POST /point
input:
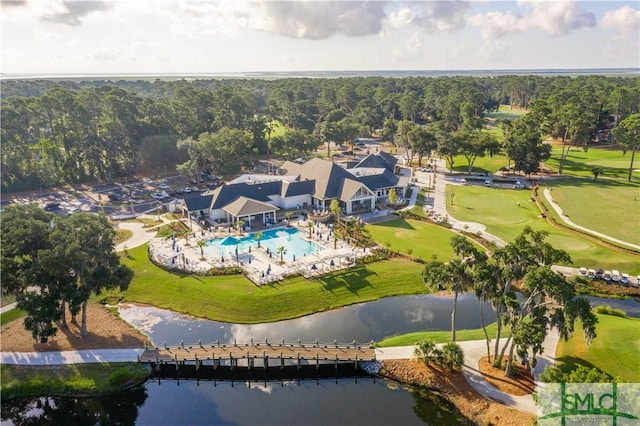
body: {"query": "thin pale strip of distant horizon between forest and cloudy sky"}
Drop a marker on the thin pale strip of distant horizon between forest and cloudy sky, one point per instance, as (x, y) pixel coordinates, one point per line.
(329, 73)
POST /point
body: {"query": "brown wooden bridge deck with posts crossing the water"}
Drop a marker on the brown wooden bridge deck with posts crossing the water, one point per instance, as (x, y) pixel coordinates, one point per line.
(231, 353)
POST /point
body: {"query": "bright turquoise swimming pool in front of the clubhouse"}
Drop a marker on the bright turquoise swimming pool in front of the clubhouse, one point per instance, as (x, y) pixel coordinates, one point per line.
(290, 238)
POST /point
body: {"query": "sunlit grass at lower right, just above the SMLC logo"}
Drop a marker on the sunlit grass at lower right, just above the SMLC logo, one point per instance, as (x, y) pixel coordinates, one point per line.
(614, 351)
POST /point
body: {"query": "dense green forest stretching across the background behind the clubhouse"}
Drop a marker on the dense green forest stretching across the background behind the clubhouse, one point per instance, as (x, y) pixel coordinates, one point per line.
(57, 132)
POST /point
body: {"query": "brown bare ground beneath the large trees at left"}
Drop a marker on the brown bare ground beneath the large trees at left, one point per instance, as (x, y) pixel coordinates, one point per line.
(105, 331)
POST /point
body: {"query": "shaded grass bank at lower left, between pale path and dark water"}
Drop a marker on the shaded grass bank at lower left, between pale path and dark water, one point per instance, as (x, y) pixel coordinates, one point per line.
(69, 380)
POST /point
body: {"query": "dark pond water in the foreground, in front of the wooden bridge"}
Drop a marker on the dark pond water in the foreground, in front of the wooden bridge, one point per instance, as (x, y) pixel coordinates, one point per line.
(169, 403)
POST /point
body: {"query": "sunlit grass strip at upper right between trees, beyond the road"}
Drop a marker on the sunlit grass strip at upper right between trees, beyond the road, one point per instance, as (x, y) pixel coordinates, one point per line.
(614, 164)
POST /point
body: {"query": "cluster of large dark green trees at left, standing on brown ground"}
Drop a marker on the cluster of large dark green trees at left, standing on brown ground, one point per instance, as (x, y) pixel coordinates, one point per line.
(55, 263)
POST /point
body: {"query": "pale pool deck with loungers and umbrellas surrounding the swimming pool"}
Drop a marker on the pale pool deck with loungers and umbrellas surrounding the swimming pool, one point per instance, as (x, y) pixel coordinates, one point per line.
(260, 267)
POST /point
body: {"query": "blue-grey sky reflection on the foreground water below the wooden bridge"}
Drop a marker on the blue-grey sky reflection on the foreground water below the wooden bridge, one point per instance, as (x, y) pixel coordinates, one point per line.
(347, 402)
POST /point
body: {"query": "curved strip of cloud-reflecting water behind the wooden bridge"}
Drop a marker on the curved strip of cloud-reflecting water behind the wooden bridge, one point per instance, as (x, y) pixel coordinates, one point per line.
(362, 322)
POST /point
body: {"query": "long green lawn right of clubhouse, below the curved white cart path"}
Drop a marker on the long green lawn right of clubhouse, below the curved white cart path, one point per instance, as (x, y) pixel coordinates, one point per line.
(498, 210)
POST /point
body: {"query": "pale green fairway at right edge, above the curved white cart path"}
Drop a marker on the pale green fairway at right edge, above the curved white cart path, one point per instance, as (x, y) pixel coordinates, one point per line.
(606, 206)
